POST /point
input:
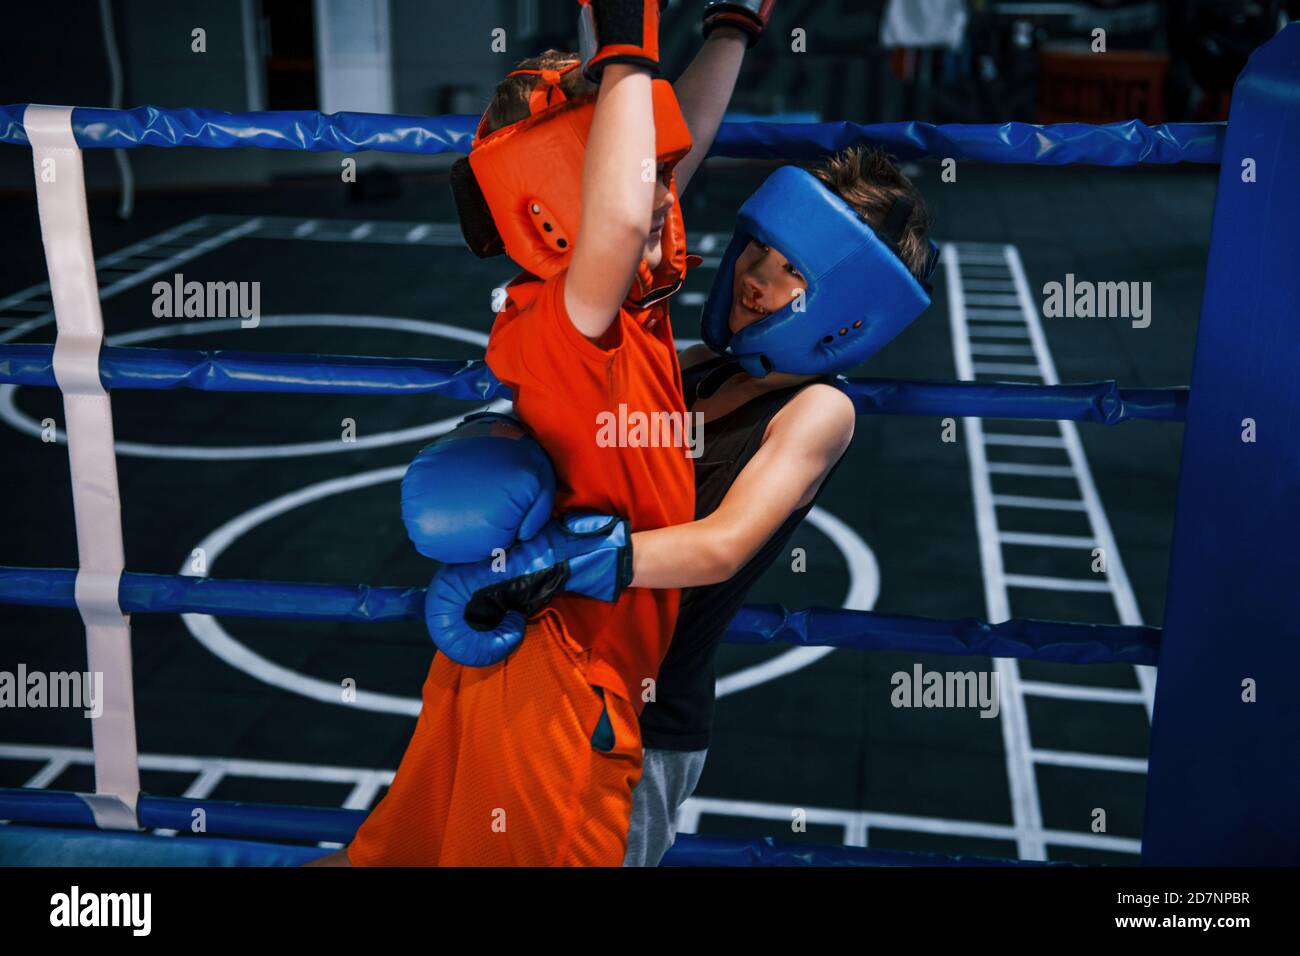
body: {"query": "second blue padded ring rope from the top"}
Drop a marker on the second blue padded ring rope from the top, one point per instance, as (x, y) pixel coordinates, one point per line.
(218, 371)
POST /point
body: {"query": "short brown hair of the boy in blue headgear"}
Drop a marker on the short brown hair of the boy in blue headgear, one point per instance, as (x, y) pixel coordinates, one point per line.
(870, 181)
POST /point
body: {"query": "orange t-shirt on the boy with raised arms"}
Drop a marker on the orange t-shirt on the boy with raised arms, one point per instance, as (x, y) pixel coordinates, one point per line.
(562, 383)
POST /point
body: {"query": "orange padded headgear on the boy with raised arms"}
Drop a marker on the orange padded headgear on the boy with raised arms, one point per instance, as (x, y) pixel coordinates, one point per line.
(521, 191)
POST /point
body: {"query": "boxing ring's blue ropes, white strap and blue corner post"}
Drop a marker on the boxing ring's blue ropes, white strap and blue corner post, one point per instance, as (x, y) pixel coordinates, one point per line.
(1224, 784)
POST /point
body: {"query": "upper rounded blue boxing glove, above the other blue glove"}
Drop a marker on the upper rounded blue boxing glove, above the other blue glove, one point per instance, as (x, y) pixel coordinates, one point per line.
(480, 487)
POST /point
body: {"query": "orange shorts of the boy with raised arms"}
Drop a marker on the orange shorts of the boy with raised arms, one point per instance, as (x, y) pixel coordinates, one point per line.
(522, 764)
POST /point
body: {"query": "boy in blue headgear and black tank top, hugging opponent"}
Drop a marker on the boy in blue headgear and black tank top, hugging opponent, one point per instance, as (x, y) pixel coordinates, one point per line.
(825, 270)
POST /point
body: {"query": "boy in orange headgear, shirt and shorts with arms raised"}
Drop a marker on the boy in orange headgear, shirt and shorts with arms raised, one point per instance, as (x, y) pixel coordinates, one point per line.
(534, 760)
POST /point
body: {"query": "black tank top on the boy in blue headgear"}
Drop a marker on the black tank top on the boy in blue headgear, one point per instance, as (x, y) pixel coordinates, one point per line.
(682, 716)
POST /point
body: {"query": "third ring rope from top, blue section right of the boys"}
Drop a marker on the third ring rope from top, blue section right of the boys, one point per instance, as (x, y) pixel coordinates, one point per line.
(1026, 639)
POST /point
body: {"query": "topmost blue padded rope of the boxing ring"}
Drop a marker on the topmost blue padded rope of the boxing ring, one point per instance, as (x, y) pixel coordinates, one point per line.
(1113, 145)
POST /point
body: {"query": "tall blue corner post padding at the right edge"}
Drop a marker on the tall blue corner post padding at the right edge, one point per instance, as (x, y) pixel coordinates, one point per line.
(1224, 781)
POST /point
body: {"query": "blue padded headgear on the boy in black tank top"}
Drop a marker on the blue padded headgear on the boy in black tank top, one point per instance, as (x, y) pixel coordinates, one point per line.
(860, 295)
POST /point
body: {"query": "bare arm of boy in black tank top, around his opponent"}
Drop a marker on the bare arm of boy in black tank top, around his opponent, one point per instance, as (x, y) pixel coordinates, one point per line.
(805, 442)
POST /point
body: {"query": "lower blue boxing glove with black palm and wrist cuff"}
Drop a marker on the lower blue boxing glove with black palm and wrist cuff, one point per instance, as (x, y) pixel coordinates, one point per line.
(478, 615)
